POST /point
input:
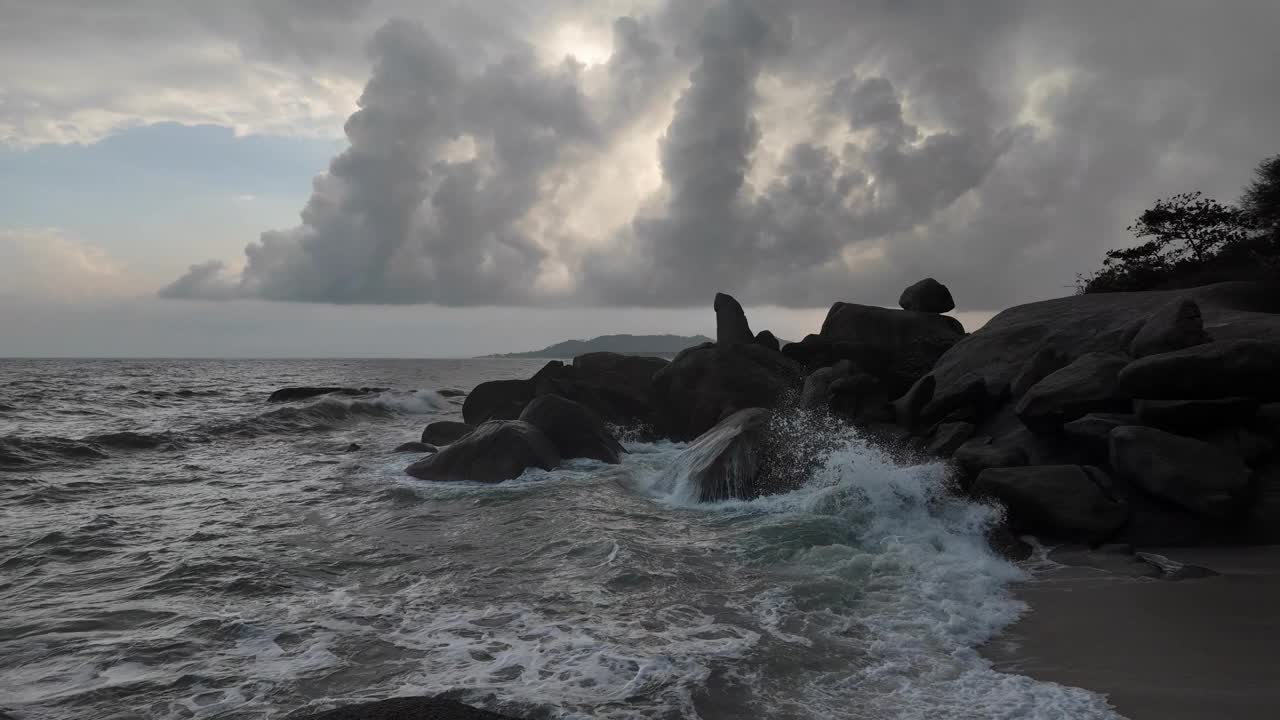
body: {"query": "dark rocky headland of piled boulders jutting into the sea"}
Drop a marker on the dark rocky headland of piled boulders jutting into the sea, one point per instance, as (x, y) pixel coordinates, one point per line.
(1150, 420)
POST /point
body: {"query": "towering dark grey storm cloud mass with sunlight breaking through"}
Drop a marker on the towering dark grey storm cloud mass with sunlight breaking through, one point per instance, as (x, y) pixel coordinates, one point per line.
(793, 154)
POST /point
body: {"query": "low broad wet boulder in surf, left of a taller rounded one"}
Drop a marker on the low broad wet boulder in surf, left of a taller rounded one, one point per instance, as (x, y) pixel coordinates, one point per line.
(497, 452)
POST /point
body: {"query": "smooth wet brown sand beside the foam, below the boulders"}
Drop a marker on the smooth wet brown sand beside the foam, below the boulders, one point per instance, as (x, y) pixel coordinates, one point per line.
(1159, 649)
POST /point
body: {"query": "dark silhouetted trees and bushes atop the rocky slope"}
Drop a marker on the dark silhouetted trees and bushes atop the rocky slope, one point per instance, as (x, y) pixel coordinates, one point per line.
(1196, 240)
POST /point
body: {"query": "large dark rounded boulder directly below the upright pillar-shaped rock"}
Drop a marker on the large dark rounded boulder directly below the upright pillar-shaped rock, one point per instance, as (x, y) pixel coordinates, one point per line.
(707, 384)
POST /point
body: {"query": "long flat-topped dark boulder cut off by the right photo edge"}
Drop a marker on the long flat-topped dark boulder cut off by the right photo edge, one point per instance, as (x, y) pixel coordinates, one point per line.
(1228, 368)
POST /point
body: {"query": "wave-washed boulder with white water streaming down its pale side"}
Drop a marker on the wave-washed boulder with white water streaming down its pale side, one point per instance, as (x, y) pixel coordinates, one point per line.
(729, 462)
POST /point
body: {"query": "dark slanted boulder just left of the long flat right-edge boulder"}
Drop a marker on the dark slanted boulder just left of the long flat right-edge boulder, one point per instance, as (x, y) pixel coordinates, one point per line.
(1086, 386)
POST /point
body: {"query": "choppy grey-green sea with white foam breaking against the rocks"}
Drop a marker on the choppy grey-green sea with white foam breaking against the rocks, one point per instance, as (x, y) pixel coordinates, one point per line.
(175, 546)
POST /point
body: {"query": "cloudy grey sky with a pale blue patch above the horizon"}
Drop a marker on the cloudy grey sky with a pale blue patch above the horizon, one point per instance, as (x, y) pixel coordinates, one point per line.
(399, 179)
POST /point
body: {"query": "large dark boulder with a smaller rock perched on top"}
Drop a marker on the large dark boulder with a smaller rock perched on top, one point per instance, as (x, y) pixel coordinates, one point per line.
(898, 347)
